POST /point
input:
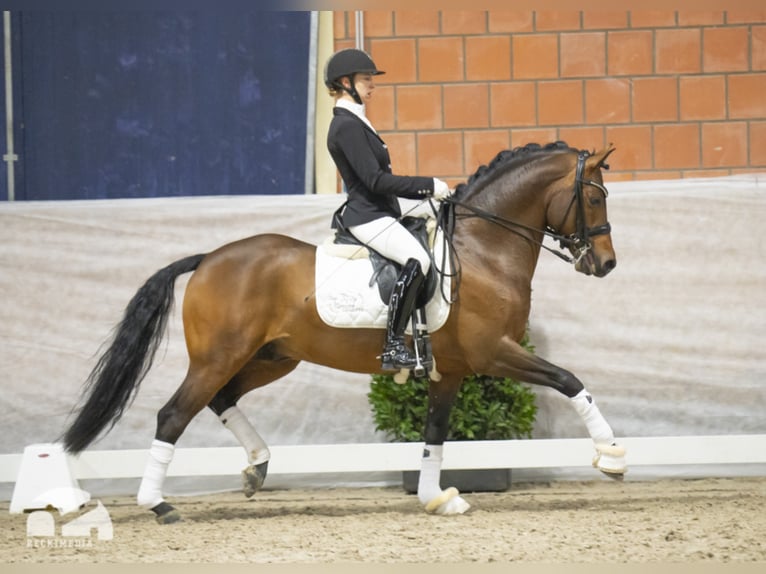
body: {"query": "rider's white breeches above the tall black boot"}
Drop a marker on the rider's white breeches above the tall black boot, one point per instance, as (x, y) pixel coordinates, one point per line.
(389, 238)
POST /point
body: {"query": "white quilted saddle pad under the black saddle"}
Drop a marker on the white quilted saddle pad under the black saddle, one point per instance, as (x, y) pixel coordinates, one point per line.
(345, 299)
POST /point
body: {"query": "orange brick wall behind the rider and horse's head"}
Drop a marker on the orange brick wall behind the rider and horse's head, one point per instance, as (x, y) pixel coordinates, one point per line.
(680, 94)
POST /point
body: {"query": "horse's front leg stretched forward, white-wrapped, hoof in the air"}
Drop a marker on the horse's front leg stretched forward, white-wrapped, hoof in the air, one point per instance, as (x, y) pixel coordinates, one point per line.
(517, 362)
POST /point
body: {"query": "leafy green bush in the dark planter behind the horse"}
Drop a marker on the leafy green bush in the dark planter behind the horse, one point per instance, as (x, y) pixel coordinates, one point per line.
(486, 408)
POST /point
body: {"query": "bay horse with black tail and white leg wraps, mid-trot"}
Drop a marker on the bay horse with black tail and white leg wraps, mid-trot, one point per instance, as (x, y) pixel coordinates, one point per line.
(249, 319)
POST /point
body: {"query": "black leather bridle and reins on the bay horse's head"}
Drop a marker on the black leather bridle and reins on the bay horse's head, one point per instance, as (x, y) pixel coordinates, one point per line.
(578, 242)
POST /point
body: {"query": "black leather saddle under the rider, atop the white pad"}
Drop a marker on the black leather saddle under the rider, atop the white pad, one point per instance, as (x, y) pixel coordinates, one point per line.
(385, 271)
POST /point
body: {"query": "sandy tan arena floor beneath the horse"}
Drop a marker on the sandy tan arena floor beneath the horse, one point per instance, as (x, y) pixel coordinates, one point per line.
(709, 520)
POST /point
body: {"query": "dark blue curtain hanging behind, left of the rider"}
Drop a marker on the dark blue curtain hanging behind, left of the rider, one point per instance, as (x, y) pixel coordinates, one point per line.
(147, 104)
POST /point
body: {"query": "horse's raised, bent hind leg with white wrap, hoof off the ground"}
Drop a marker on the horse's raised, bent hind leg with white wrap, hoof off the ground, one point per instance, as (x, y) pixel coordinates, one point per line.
(256, 374)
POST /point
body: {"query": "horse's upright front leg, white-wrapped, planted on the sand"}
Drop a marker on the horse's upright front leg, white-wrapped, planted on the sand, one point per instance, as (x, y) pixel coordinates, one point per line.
(441, 396)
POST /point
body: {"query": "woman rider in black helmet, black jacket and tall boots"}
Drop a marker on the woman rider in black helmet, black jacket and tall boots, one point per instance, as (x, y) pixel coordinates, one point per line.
(372, 211)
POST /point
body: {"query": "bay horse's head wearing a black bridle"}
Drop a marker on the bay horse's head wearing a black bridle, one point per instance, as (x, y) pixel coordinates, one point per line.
(580, 208)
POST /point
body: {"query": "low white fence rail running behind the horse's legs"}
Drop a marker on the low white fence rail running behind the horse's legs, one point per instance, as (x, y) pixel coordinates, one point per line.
(374, 457)
